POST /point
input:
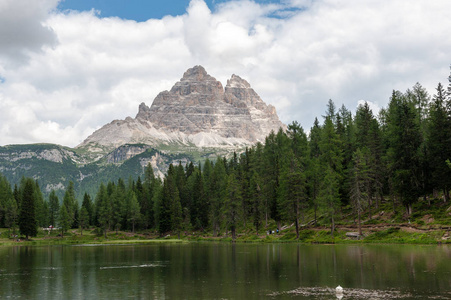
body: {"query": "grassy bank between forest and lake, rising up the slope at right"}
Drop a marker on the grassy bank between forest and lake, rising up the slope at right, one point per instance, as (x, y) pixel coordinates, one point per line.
(429, 224)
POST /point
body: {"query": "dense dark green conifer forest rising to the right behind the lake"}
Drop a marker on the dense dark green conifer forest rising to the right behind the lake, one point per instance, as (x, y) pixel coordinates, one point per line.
(345, 161)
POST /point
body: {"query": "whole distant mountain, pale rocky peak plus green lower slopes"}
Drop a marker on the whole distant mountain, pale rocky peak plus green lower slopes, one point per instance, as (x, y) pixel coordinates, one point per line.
(195, 120)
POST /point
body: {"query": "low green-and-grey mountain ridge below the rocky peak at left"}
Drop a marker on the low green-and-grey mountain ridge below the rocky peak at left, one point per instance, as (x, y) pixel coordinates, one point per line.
(53, 166)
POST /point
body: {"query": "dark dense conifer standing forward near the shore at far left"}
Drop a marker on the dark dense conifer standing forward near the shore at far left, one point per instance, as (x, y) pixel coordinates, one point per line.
(27, 216)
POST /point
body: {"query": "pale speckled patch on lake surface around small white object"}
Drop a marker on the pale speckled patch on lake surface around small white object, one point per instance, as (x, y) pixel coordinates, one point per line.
(349, 293)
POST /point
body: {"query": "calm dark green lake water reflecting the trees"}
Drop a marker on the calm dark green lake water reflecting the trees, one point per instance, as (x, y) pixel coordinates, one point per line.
(225, 271)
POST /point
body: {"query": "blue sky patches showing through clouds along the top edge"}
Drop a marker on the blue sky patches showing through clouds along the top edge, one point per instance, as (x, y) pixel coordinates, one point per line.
(139, 10)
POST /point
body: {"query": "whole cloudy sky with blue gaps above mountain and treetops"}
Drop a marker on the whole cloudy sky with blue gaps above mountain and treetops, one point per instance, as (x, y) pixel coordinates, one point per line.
(69, 67)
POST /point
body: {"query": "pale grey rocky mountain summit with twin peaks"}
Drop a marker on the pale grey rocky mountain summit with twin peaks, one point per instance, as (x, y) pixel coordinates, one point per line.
(196, 112)
